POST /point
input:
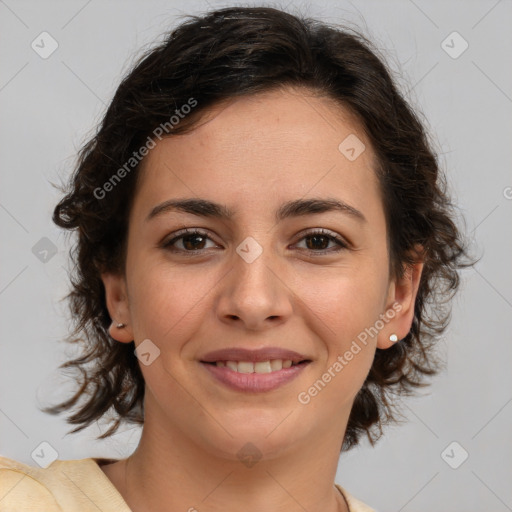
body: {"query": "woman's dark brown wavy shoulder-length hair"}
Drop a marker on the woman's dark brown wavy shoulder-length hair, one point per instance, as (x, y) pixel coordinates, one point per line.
(235, 52)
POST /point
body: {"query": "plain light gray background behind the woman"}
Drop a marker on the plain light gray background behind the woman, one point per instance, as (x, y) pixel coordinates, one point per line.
(50, 106)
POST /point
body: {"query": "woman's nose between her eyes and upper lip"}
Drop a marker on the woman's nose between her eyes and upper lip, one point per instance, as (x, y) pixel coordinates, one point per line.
(254, 294)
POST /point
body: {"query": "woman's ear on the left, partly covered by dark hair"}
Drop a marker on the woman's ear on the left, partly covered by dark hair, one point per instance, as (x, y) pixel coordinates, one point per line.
(116, 297)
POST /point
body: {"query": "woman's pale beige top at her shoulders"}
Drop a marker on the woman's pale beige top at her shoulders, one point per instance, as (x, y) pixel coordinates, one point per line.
(74, 486)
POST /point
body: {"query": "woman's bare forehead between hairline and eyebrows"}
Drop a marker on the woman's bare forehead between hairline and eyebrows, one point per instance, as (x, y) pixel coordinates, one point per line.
(286, 142)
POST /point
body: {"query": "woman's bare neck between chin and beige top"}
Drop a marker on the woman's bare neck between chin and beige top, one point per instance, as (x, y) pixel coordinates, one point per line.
(169, 471)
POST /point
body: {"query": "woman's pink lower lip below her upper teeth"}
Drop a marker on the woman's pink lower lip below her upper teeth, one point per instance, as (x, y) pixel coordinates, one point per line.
(254, 382)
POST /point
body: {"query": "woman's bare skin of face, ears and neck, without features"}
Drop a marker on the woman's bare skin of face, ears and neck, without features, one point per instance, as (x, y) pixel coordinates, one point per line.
(252, 154)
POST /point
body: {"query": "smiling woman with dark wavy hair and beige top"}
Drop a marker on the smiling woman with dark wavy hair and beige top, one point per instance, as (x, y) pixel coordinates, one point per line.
(261, 226)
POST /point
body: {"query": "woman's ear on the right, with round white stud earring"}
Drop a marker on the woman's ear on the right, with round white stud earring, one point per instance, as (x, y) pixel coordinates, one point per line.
(401, 299)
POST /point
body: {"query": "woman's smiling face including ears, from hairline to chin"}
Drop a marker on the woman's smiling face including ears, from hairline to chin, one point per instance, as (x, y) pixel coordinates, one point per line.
(259, 287)
